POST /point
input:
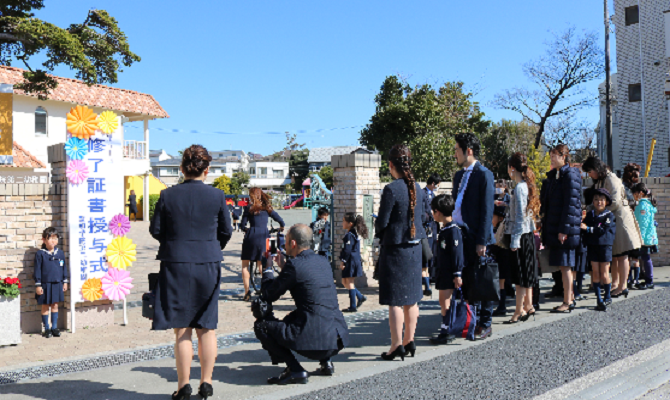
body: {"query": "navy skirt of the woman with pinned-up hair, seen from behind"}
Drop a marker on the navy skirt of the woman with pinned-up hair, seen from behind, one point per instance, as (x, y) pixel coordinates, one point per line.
(187, 296)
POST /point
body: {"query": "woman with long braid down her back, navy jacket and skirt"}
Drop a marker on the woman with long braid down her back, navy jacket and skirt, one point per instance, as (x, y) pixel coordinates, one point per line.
(399, 227)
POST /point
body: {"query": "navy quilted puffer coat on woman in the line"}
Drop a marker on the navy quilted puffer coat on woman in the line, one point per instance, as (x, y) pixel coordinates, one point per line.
(561, 207)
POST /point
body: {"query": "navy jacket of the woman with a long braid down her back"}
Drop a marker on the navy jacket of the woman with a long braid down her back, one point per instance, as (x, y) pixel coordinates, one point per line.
(392, 225)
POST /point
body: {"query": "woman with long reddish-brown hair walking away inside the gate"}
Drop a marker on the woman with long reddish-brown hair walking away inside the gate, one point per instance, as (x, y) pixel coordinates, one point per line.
(254, 244)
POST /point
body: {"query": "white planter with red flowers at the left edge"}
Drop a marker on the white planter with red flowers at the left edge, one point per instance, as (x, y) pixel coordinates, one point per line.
(10, 309)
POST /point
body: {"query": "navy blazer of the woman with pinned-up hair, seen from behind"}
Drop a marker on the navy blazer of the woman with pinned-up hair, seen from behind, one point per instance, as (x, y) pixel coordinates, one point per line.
(192, 223)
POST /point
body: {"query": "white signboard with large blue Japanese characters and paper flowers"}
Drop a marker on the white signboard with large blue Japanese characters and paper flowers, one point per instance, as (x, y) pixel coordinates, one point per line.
(91, 205)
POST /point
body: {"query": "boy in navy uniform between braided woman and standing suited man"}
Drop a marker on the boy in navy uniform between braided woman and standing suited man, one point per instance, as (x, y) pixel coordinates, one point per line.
(449, 262)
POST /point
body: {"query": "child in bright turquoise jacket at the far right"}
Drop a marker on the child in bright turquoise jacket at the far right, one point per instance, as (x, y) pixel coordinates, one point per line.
(645, 212)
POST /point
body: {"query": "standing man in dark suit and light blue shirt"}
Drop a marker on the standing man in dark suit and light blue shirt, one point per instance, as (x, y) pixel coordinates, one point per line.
(473, 192)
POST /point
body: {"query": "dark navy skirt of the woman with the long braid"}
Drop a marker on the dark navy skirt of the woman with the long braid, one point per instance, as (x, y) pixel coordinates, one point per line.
(400, 275)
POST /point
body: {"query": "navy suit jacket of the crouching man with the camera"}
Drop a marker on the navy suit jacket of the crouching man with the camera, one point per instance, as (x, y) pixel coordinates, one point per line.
(317, 321)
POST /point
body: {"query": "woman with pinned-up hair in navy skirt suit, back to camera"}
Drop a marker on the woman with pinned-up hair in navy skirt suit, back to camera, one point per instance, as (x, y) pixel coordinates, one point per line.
(192, 224)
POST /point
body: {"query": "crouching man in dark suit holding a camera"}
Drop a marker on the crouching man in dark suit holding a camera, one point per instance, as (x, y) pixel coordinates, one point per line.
(316, 329)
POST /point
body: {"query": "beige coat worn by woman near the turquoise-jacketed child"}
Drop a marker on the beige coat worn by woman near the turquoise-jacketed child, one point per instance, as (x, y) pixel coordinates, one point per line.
(627, 235)
